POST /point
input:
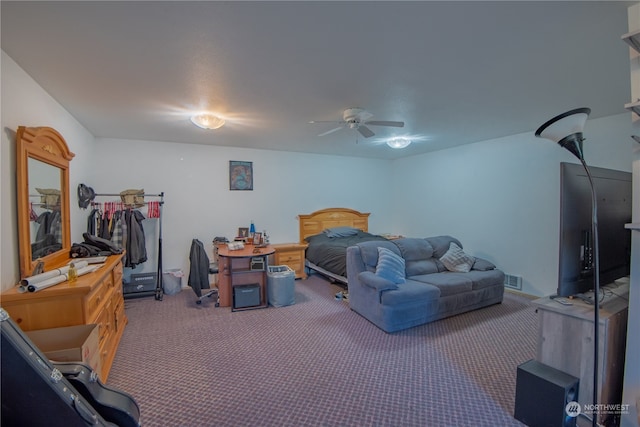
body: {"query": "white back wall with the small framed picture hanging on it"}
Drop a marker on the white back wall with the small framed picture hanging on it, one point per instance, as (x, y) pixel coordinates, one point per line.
(199, 204)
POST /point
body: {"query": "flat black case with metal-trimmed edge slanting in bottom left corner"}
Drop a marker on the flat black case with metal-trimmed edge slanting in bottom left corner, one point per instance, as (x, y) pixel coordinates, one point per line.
(34, 393)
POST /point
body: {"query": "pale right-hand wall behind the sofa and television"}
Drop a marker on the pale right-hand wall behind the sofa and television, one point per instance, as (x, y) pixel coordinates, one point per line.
(501, 197)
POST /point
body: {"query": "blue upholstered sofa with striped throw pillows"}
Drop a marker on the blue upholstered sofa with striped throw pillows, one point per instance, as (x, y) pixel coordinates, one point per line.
(399, 284)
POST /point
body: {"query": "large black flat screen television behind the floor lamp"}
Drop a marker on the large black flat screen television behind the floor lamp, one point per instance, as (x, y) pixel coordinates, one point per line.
(613, 191)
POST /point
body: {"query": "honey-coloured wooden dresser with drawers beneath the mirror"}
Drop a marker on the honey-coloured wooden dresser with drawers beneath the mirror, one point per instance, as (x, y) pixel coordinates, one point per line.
(94, 298)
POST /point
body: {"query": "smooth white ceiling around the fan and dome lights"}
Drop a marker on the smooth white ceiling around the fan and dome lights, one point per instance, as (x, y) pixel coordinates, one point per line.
(454, 72)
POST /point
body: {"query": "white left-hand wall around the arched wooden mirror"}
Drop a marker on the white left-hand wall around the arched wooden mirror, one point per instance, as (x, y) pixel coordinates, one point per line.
(24, 103)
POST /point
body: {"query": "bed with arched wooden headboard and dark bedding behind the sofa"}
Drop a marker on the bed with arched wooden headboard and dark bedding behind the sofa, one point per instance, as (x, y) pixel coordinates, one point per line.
(327, 255)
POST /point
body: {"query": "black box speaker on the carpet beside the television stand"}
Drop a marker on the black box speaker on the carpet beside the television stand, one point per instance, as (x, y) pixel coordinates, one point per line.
(542, 394)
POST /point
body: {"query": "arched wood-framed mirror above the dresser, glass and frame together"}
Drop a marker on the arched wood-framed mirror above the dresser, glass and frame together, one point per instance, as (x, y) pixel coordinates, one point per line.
(42, 167)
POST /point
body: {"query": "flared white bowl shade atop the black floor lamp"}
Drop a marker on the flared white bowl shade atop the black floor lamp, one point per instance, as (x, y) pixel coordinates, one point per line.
(566, 129)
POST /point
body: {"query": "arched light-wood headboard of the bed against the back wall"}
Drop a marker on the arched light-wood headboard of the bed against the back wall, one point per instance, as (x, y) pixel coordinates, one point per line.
(317, 221)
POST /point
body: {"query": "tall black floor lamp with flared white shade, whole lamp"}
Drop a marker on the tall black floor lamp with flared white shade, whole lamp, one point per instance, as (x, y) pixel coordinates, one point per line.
(566, 130)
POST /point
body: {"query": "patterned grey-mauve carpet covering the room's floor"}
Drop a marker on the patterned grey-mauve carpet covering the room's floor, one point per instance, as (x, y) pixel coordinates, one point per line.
(317, 363)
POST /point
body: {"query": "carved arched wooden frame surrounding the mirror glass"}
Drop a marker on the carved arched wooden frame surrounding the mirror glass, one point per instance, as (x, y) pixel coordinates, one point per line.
(46, 145)
